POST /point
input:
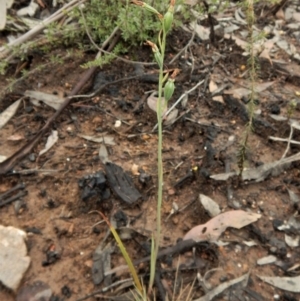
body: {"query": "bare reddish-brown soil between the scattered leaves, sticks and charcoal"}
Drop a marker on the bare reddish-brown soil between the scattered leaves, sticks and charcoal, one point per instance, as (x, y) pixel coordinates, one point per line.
(57, 219)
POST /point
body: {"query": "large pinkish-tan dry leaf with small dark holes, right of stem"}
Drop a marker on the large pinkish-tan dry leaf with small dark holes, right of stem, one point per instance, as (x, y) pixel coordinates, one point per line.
(212, 230)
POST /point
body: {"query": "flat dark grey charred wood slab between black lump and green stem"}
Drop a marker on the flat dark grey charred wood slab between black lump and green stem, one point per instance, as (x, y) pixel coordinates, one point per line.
(121, 183)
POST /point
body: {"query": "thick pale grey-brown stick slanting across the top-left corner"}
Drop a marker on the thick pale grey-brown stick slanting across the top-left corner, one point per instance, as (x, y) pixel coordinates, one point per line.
(5, 50)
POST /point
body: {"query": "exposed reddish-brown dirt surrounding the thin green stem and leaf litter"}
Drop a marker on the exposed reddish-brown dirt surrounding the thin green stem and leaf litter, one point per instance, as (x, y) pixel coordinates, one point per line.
(53, 202)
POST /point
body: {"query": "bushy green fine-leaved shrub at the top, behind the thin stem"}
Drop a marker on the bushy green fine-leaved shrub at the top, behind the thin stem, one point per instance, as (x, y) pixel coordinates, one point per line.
(136, 25)
